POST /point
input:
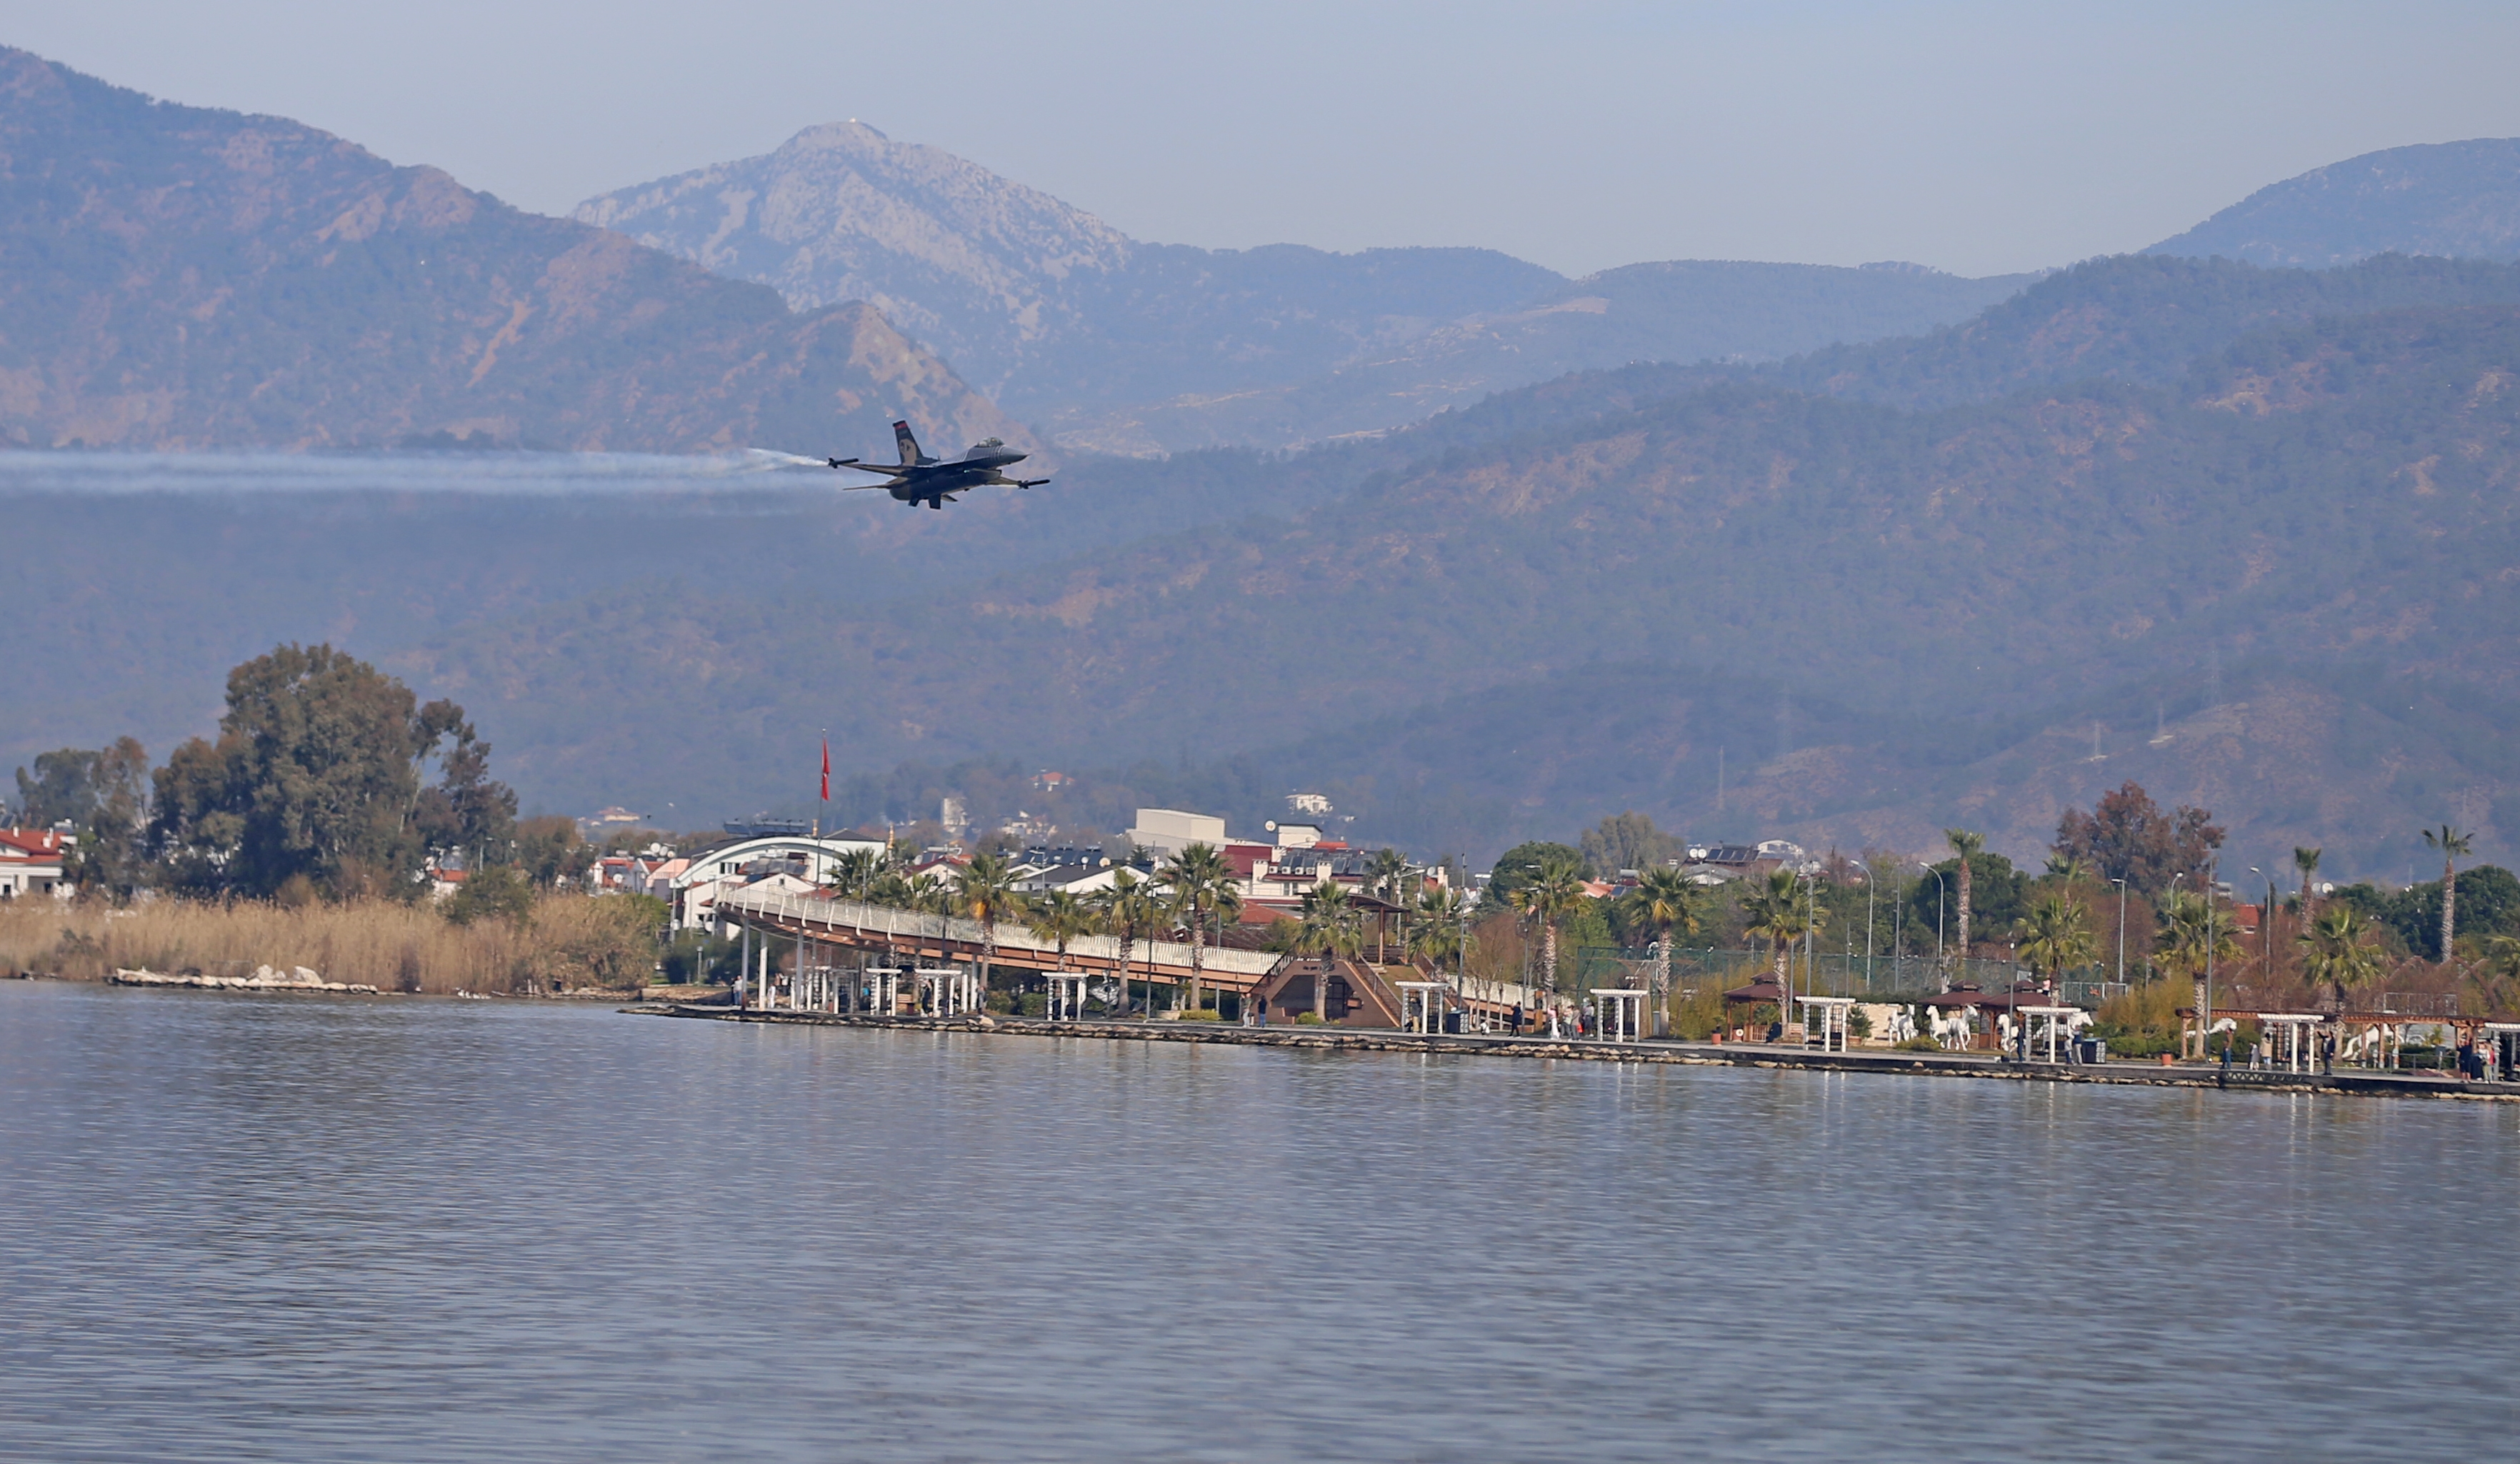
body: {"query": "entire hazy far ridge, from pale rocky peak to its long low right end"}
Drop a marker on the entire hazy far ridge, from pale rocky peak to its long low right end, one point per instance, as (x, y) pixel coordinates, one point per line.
(1145, 349)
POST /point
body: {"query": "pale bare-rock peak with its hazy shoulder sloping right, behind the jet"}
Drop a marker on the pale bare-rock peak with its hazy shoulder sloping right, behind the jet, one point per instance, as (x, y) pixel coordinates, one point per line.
(1037, 301)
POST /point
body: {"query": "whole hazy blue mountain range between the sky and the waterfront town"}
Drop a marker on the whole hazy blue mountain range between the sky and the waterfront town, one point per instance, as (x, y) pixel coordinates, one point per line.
(1755, 548)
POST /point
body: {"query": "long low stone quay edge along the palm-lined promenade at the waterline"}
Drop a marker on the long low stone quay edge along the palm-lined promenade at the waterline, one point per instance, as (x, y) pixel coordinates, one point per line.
(1644, 1052)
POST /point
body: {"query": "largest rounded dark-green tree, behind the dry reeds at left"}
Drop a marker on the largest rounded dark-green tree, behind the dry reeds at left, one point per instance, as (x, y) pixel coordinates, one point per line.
(316, 780)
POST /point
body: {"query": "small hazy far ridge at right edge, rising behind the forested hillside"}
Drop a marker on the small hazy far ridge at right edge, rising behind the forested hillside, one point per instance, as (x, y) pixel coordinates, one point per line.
(2456, 200)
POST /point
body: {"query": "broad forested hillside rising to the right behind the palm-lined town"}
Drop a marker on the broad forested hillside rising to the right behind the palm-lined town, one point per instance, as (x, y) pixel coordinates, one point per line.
(2317, 510)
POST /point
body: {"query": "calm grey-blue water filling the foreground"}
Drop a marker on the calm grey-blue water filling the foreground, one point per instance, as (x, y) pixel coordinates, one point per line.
(241, 1228)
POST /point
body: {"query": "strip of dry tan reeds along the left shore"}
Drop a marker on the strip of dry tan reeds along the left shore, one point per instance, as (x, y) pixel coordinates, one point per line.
(566, 944)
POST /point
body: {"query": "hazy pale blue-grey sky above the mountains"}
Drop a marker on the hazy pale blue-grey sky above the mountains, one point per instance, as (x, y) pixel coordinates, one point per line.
(1974, 137)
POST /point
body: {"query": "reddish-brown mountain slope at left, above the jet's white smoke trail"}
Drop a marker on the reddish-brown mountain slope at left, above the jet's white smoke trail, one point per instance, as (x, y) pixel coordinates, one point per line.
(188, 278)
